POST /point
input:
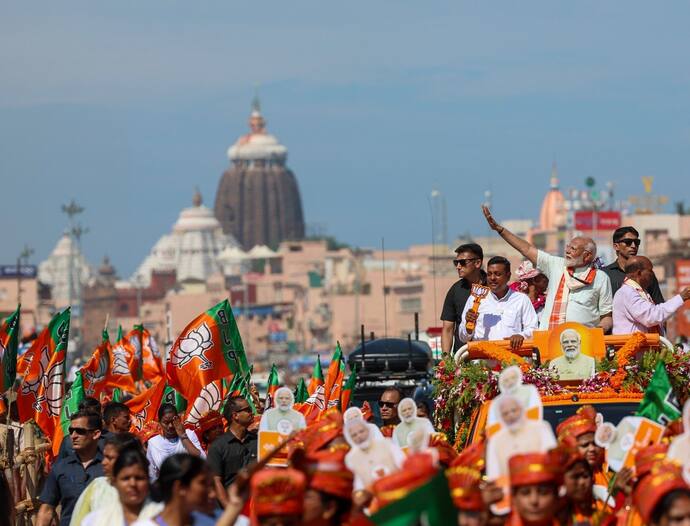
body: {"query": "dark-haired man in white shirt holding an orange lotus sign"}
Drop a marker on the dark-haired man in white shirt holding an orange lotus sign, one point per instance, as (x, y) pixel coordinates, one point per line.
(503, 313)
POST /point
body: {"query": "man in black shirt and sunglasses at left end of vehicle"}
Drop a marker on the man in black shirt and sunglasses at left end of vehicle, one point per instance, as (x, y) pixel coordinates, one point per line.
(468, 263)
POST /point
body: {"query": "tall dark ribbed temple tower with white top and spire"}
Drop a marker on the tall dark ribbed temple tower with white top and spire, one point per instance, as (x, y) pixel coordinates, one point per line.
(258, 200)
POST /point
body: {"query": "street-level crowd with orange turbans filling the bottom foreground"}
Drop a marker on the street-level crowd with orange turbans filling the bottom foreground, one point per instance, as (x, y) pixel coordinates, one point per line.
(343, 469)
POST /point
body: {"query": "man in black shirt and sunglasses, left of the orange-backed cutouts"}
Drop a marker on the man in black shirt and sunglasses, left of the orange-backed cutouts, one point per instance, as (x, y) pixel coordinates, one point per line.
(234, 450)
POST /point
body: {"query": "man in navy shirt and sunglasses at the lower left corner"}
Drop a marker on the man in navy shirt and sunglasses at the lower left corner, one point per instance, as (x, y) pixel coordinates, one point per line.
(70, 475)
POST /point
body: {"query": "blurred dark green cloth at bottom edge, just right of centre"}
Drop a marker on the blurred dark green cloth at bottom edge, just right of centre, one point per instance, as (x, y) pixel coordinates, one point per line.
(431, 504)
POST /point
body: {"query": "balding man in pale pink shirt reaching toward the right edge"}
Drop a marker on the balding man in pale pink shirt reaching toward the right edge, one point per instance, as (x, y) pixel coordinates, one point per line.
(633, 308)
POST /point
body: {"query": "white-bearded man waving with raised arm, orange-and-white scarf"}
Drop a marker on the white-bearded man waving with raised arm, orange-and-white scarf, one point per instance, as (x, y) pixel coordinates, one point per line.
(577, 291)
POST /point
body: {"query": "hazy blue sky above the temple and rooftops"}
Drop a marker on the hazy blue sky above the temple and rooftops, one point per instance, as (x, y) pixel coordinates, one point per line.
(127, 106)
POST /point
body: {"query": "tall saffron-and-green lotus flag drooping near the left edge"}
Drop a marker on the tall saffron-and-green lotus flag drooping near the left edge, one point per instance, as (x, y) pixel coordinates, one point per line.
(41, 392)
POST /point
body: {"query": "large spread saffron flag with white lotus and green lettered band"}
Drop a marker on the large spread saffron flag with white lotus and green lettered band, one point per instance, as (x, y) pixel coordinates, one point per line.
(210, 347)
